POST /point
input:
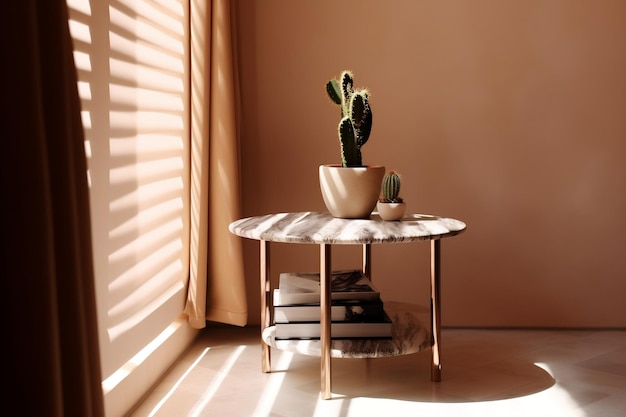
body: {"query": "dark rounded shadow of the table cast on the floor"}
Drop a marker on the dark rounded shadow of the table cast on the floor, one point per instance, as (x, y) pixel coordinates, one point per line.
(471, 372)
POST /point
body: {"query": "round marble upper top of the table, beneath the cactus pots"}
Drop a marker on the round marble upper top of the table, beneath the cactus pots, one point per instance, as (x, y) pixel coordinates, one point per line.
(322, 227)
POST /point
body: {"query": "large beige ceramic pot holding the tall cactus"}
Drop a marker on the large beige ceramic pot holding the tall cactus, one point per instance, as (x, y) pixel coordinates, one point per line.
(350, 193)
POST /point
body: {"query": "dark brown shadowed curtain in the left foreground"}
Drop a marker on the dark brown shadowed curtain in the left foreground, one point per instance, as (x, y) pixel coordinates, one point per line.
(52, 361)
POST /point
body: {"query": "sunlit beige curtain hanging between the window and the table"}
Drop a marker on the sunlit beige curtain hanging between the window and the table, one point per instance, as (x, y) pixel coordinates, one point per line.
(216, 286)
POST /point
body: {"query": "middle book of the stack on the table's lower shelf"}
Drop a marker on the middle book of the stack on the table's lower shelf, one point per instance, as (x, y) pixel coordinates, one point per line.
(340, 310)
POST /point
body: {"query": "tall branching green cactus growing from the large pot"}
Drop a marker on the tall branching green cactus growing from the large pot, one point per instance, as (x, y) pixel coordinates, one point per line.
(356, 117)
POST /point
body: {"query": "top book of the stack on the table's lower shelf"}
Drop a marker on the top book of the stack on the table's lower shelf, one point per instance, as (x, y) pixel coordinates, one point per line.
(304, 287)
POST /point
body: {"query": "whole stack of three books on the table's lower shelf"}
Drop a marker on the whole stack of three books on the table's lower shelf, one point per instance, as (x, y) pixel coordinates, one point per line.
(357, 310)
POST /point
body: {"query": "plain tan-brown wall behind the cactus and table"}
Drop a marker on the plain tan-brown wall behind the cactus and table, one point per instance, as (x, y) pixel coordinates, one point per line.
(508, 115)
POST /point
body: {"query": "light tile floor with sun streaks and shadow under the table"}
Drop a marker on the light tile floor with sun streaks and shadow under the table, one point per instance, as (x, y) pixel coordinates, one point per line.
(566, 373)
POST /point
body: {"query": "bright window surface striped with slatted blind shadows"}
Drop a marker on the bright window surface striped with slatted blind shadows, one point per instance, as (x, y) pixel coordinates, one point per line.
(132, 63)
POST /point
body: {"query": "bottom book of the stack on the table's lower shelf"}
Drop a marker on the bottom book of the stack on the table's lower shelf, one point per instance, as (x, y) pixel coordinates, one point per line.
(378, 329)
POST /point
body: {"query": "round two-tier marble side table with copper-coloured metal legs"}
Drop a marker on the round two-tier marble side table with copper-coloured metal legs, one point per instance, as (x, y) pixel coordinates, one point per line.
(325, 230)
